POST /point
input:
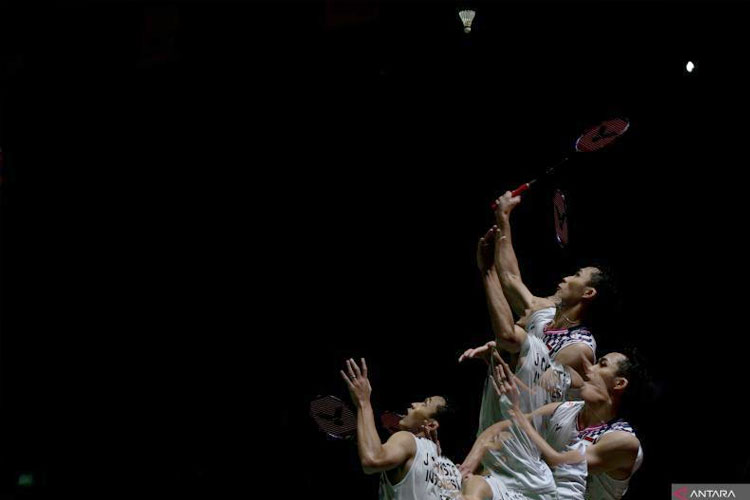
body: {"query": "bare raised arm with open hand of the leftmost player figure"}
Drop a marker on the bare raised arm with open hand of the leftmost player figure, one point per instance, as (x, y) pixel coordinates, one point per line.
(373, 454)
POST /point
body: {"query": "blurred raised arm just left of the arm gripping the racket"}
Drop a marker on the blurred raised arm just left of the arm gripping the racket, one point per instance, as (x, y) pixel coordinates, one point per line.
(507, 335)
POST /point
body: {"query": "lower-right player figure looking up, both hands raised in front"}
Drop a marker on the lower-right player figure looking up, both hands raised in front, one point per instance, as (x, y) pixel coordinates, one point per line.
(592, 453)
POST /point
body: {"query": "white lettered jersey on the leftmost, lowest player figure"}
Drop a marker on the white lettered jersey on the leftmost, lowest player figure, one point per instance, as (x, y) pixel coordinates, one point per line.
(430, 477)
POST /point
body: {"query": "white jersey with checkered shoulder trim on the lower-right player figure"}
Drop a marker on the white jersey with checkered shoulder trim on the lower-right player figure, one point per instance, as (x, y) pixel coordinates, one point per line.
(563, 429)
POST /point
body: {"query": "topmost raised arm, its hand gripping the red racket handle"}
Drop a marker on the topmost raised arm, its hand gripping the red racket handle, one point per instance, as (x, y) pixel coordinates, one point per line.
(518, 295)
